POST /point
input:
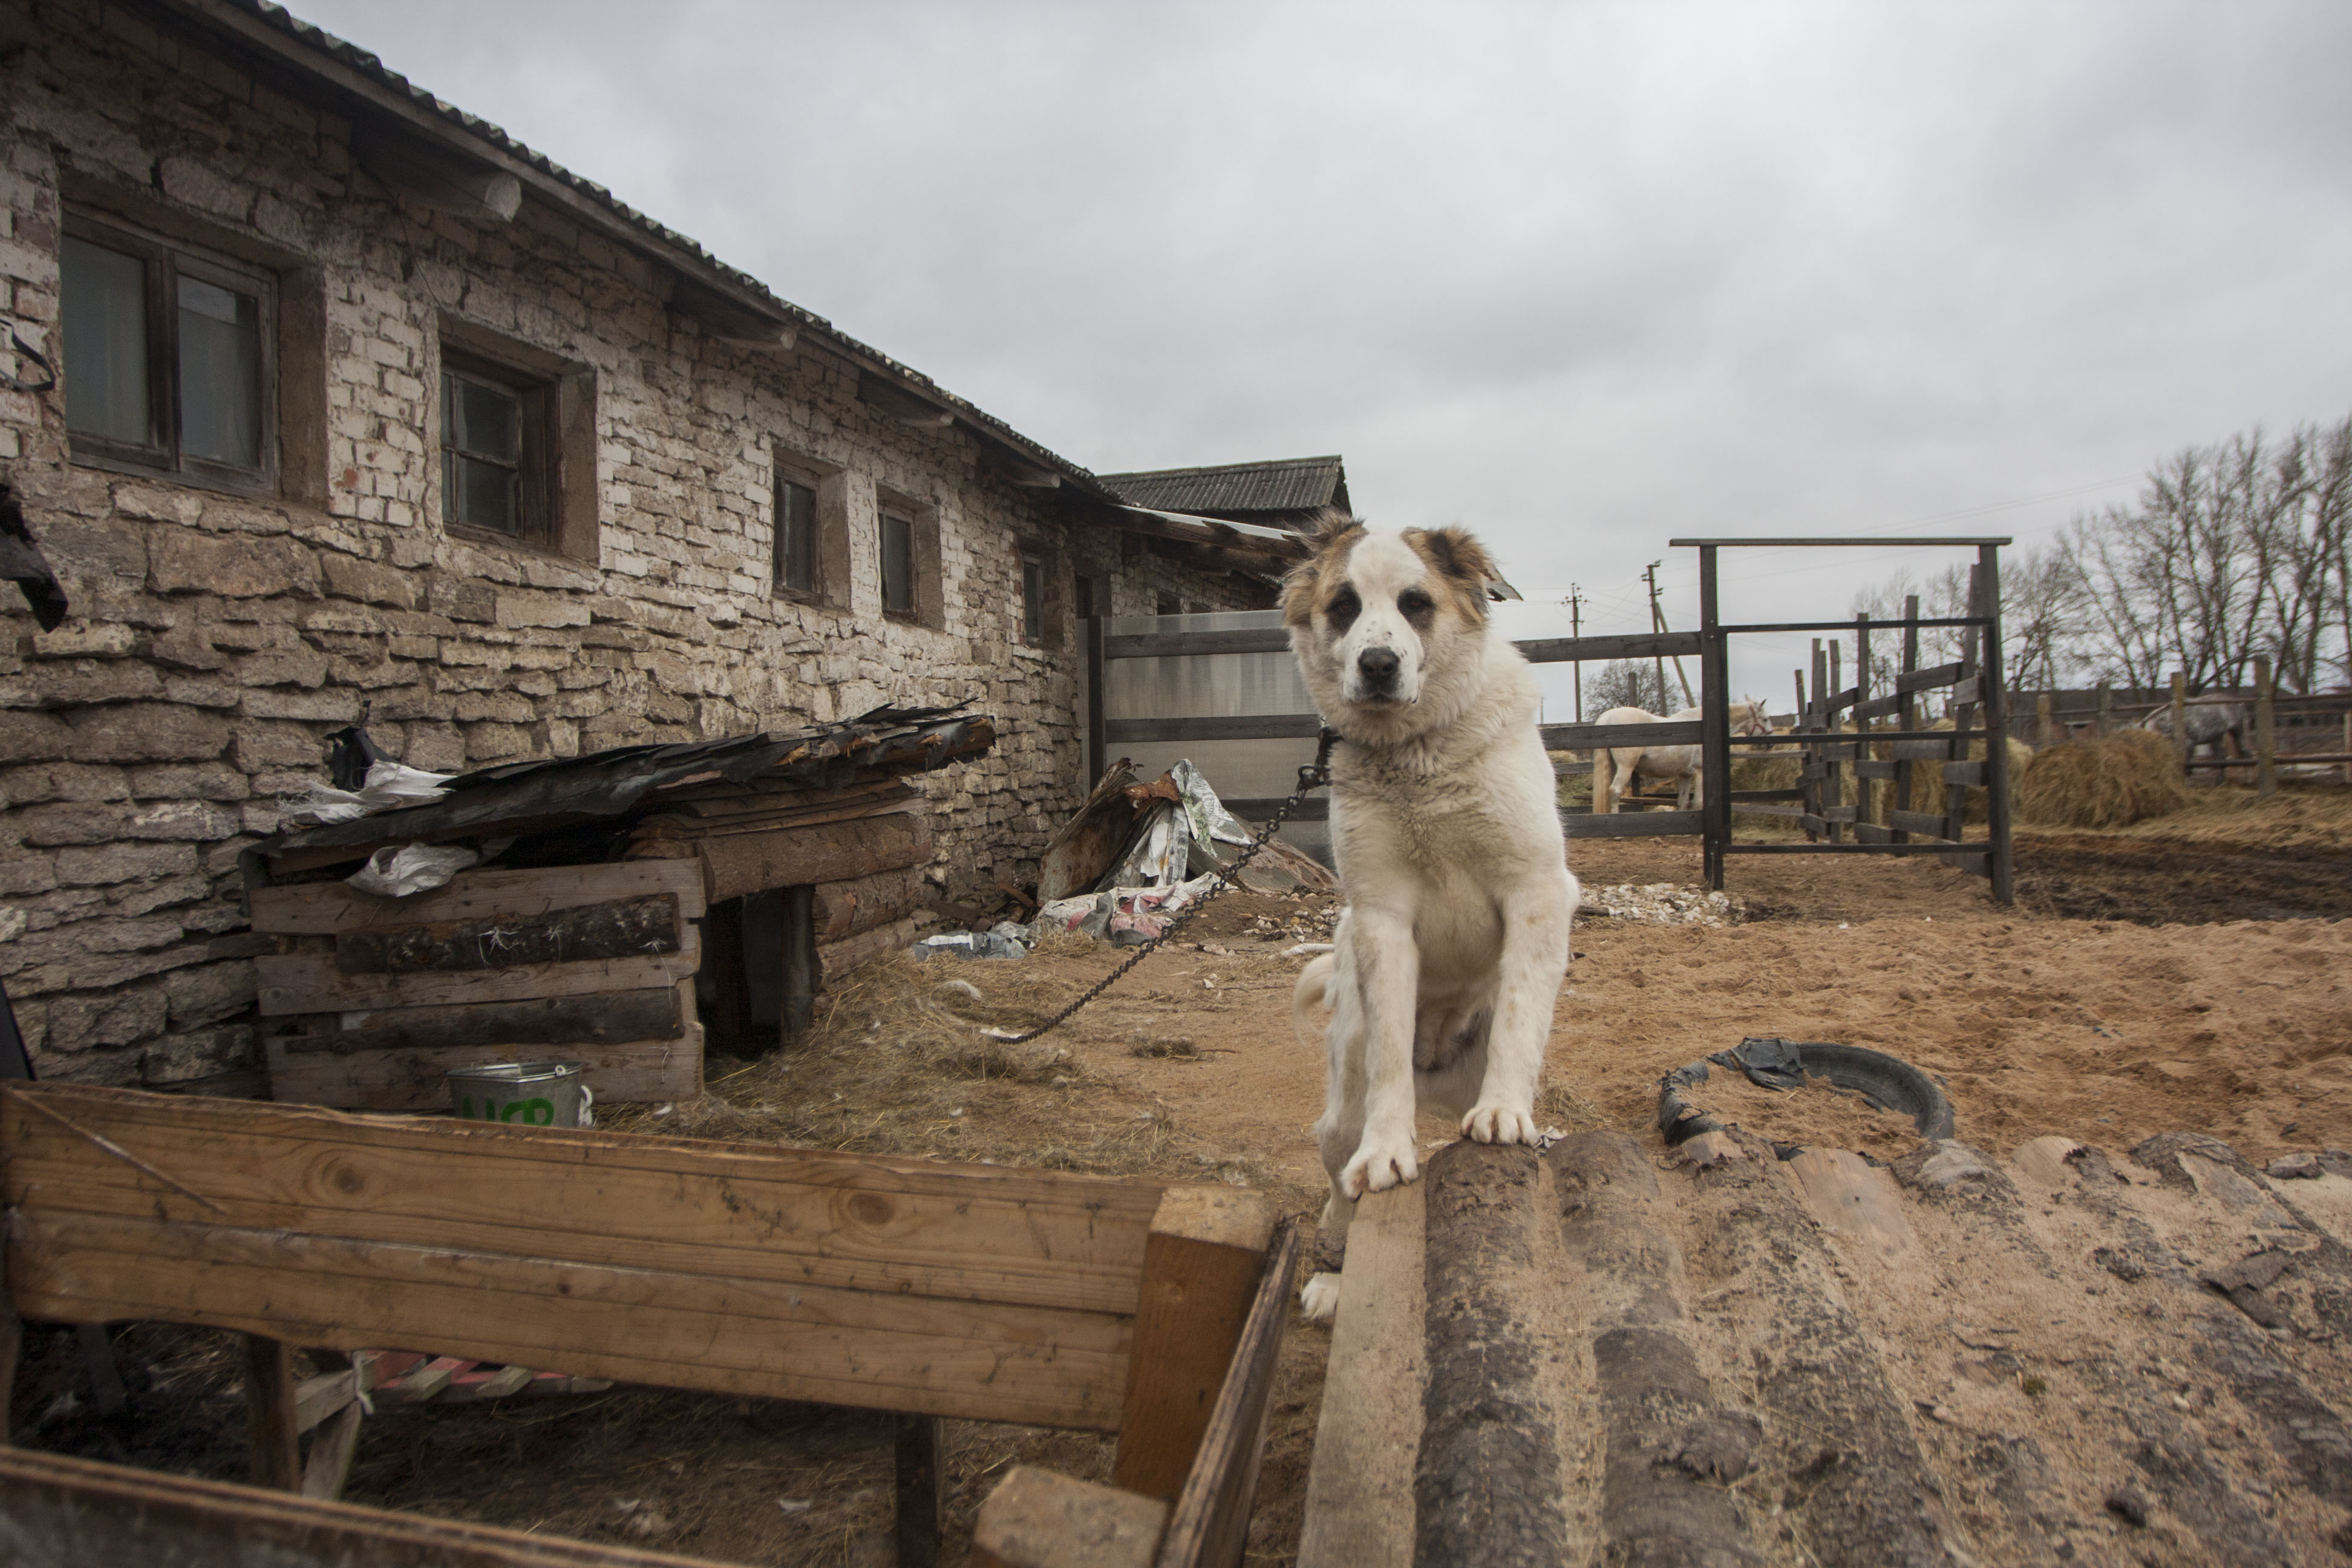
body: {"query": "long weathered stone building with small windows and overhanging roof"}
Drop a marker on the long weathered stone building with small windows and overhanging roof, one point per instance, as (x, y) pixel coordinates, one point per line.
(370, 413)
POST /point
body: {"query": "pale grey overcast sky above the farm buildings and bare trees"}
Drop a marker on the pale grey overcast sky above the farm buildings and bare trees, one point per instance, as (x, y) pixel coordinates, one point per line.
(1577, 276)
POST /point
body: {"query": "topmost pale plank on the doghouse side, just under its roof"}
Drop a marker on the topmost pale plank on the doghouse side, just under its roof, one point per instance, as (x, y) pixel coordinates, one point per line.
(323, 909)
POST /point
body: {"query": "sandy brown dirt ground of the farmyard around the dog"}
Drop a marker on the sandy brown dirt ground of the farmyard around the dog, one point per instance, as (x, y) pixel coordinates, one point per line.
(2184, 974)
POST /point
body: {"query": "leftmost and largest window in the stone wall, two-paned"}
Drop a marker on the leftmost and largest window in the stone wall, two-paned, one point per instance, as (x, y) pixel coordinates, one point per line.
(171, 359)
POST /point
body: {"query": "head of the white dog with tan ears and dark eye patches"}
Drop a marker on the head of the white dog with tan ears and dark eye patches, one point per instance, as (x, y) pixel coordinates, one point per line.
(1387, 622)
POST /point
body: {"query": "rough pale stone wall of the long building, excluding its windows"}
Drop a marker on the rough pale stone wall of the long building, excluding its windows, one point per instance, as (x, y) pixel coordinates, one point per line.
(220, 638)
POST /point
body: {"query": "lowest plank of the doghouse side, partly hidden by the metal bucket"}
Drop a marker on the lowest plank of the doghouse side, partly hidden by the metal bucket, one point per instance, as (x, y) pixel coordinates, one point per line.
(627, 1073)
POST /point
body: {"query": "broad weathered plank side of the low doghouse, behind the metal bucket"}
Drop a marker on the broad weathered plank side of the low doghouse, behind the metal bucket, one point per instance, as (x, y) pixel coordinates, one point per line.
(373, 1000)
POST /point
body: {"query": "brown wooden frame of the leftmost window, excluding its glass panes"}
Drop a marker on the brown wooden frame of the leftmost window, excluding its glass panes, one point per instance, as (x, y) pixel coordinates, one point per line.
(166, 262)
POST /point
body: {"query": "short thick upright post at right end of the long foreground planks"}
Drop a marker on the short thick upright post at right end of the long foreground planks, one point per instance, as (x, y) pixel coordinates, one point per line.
(1201, 1278)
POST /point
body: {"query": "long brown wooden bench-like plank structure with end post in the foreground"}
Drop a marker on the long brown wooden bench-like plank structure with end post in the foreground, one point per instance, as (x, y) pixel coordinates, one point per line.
(937, 1292)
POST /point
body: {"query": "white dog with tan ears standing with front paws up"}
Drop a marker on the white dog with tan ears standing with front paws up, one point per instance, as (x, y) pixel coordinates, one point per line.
(1452, 866)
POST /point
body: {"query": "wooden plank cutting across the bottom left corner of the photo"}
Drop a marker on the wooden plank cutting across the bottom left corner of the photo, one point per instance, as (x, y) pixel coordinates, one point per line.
(83, 1515)
